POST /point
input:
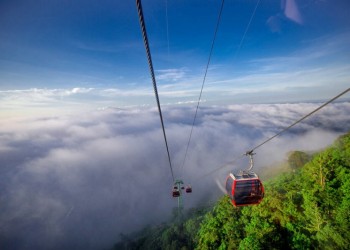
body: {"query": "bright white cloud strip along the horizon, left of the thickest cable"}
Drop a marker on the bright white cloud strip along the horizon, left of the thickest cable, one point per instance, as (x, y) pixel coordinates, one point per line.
(45, 101)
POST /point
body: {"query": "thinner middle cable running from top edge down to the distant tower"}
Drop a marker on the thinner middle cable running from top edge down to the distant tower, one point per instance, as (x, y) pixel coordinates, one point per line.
(204, 78)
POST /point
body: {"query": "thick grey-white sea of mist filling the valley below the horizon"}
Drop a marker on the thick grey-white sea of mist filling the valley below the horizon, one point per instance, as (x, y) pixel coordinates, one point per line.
(78, 182)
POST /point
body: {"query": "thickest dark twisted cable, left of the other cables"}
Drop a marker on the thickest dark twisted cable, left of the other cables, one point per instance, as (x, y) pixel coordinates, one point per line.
(150, 64)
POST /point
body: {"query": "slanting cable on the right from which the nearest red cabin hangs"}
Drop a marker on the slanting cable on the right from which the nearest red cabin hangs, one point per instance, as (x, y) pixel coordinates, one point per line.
(277, 134)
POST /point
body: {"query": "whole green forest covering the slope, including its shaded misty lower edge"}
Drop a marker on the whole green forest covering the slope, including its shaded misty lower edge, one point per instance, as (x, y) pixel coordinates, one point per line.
(306, 207)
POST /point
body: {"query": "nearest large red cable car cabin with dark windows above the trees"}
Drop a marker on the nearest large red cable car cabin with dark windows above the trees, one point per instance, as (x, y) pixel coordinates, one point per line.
(244, 189)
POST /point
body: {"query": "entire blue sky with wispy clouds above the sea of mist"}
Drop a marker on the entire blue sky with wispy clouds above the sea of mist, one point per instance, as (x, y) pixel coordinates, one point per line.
(89, 54)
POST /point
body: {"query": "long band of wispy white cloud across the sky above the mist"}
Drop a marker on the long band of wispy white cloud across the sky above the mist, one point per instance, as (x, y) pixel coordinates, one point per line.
(310, 73)
